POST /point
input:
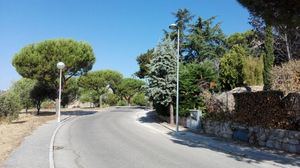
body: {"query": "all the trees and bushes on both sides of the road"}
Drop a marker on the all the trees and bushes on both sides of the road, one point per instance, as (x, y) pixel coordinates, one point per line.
(211, 63)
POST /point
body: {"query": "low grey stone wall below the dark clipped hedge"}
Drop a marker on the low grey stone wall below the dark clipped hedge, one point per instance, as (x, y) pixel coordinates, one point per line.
(272, 138)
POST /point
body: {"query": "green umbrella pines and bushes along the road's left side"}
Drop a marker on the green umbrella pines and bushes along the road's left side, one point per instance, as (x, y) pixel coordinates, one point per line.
(38, 88)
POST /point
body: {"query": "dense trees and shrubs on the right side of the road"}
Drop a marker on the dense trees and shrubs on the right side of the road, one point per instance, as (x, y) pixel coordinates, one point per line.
(212, 63)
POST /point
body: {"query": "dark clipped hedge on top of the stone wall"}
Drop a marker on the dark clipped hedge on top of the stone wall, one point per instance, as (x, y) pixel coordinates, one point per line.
(267, 109)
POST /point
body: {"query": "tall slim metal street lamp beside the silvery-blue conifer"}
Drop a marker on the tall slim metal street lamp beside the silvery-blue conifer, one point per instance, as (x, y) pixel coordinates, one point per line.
(175, 27)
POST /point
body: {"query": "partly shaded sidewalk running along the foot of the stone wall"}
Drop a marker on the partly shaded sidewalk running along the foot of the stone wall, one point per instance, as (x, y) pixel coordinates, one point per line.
(238, 151)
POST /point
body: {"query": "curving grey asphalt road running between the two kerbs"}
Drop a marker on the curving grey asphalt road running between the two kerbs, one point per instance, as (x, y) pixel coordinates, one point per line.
(114, 139)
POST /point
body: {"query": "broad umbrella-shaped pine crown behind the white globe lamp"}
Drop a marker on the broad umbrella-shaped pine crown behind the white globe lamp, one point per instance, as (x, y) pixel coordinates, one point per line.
(38, 61)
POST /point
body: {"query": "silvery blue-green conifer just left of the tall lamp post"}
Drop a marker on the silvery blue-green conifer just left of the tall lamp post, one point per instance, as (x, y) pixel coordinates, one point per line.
(162, 76)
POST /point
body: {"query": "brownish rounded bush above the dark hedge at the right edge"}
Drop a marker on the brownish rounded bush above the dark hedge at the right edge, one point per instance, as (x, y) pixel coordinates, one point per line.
(286, 77)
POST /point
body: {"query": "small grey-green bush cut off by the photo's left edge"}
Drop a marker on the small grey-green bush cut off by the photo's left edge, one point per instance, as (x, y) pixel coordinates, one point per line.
(10, 106)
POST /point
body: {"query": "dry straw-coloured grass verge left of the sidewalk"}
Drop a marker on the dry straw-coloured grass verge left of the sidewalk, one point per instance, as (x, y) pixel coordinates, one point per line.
(12, 134)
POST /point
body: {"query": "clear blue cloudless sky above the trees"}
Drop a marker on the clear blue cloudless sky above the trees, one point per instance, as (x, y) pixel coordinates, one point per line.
(118, 30)
